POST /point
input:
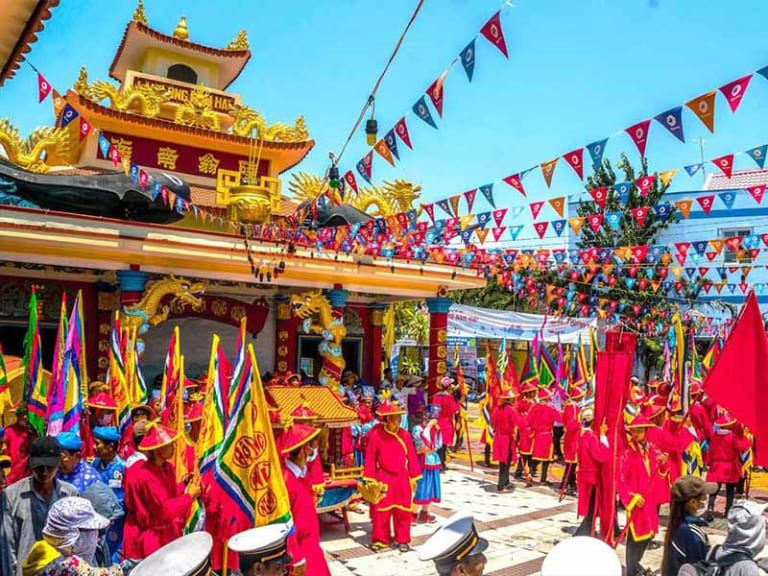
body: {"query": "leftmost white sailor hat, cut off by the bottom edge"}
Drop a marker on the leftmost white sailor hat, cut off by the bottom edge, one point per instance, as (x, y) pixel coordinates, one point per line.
(185, 556)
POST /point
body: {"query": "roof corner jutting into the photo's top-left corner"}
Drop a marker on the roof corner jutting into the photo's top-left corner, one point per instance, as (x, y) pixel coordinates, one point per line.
(21, 22)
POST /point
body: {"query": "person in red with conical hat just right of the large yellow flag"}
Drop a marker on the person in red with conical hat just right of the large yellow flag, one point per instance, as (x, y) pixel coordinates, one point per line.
(296, 446)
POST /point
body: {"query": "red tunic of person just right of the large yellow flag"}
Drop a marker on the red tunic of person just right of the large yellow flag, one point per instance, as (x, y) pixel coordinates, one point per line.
(304, 542)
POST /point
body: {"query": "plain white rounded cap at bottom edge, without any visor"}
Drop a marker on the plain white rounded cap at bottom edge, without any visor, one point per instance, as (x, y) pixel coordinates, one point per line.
(581, 556)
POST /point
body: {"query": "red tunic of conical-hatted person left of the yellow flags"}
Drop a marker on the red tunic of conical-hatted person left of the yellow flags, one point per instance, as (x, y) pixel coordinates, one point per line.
(156, 508)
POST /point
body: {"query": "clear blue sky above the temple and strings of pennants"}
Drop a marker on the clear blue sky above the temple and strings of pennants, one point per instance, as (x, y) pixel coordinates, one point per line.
(578, 71)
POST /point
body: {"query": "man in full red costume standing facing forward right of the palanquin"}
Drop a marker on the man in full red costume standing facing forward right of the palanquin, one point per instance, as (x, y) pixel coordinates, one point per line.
(391, 459)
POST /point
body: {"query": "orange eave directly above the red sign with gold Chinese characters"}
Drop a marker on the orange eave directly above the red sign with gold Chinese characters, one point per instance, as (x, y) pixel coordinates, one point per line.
(222, 141)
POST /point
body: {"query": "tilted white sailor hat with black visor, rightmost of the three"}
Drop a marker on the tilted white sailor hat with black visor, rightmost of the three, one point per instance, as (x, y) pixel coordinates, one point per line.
(453, 541)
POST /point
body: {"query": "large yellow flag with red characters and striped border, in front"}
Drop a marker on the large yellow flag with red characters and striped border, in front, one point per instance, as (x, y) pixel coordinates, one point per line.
(248, 464)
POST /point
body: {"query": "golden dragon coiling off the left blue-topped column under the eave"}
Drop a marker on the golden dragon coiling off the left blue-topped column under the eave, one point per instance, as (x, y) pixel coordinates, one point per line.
(147, 311)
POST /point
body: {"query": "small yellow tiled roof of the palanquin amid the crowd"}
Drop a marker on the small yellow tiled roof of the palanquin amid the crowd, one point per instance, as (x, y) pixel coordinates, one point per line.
(331, 411)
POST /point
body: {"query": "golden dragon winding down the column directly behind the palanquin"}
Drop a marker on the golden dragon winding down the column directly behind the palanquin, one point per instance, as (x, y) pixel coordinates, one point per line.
(320, 318)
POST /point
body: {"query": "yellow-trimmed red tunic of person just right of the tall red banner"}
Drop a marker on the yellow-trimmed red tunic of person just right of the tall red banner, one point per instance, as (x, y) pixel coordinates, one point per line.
(636, 471)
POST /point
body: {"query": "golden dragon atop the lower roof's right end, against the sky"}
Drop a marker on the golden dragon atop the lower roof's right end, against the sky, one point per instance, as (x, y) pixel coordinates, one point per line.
(385, 200)
